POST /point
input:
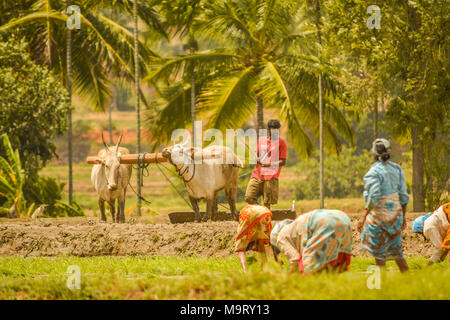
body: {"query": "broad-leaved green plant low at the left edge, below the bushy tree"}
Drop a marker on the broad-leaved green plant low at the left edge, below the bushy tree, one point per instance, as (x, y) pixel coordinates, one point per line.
(12, 179)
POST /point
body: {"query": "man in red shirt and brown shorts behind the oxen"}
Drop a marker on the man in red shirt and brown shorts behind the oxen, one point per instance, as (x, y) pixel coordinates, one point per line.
(271, 156)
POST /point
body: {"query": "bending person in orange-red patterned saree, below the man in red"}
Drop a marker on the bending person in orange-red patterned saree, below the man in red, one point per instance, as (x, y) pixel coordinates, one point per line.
(255, 225)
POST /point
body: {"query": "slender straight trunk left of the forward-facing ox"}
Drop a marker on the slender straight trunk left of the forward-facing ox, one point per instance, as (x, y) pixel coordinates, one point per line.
(69, 90)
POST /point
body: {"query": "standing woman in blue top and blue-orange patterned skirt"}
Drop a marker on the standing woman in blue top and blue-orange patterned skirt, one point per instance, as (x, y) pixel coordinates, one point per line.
(386, 199)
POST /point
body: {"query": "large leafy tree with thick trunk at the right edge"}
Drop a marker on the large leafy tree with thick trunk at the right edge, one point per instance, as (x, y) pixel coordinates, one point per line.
(410, 53)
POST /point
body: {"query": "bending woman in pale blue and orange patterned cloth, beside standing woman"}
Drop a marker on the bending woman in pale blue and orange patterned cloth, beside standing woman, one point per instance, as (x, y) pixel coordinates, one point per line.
(315, 241)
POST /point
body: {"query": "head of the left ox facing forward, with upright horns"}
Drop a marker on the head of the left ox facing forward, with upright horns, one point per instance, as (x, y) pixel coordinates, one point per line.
(110, 162)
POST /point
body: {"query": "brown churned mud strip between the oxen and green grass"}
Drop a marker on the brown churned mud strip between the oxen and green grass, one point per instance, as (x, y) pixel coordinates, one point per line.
(89, 237)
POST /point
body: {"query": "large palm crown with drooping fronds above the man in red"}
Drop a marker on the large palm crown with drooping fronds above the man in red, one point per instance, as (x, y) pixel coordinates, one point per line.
(259, 67)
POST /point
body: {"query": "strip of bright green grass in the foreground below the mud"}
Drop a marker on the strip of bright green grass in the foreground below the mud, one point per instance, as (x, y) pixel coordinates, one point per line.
(211, 278)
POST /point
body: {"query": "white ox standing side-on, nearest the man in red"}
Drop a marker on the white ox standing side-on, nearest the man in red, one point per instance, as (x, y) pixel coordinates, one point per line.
(218, 170)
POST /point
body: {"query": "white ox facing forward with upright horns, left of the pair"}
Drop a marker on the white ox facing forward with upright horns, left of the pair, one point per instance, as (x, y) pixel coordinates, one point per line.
(110, 180)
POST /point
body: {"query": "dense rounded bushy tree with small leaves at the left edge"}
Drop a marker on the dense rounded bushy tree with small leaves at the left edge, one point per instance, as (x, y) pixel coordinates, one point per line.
(33, 105)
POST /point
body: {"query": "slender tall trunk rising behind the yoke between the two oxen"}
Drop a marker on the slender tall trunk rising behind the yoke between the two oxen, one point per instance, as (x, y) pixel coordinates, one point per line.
(138, 108)
